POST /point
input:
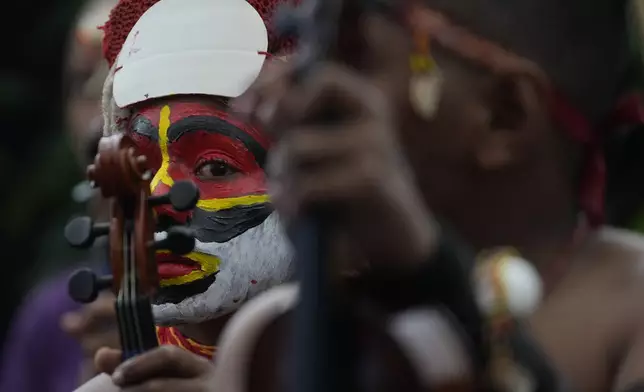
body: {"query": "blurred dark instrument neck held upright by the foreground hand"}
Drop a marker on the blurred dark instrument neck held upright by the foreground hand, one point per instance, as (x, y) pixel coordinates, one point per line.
(322, 354)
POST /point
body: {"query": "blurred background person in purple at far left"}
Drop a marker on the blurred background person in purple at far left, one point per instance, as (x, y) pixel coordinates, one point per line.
(39, 355)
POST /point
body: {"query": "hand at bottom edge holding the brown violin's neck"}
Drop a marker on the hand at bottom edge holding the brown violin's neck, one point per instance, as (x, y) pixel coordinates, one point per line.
(164, 369)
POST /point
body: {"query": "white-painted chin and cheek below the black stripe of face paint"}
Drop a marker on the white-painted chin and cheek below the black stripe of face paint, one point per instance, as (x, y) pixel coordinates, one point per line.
(262, 255)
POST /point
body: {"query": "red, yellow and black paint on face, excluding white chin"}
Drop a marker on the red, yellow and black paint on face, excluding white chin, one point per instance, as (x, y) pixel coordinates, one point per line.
(196, 140)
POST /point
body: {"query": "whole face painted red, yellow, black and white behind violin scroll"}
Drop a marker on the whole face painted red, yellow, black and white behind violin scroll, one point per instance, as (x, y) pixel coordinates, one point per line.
(240, 249)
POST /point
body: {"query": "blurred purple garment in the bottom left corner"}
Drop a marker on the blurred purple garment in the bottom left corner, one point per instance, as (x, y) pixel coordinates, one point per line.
(38, 355)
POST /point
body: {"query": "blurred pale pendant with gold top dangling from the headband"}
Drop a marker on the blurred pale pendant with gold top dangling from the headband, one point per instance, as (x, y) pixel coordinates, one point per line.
(426, 79)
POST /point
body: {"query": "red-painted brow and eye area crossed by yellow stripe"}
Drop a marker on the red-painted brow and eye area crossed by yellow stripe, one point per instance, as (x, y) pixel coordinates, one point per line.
(218, 160)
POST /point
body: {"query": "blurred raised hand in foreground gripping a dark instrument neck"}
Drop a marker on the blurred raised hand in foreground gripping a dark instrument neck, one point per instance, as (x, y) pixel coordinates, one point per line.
(352, 168)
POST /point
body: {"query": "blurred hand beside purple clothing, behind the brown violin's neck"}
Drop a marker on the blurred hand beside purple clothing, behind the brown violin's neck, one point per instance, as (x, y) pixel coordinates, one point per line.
(94, 325)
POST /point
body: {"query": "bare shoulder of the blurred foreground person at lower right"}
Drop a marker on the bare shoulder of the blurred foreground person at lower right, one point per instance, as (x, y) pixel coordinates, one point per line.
(592, 325)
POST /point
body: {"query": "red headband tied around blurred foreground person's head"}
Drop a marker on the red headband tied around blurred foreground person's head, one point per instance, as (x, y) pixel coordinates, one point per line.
(571, 120)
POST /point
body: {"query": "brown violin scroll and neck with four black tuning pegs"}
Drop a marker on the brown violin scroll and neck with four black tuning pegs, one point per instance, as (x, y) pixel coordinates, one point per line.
(124, 178)
